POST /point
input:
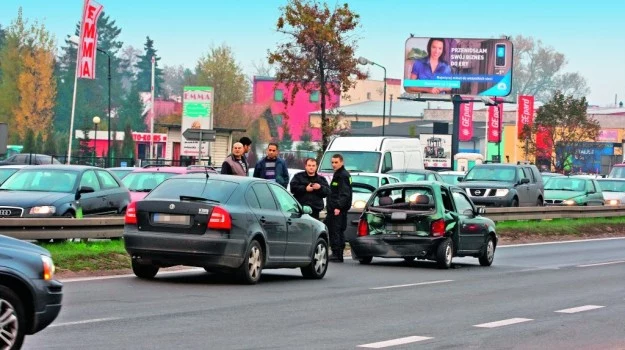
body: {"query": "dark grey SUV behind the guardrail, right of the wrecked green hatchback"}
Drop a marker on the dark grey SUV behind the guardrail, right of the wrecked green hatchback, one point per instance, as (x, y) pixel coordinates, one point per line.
(504, 185)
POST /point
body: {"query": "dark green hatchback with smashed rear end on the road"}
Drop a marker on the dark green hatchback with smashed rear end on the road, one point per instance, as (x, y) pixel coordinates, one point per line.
(424, 220)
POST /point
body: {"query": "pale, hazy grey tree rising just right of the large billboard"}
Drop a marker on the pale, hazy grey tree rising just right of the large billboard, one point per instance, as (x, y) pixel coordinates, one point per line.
(538, 71)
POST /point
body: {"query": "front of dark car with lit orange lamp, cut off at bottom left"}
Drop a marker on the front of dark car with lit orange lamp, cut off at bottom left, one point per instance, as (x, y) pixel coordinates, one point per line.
(30, 297)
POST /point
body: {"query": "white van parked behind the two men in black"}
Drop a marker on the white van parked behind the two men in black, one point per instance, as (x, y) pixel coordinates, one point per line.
(374, 154)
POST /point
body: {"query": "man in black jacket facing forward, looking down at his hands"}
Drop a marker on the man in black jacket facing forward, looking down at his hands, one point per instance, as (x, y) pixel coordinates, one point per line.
(310, 188)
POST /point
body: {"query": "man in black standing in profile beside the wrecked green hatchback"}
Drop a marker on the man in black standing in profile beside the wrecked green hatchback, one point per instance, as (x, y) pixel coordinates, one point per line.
(338, 203)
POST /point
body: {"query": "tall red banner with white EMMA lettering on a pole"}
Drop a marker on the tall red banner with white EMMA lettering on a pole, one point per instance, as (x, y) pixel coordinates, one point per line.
(85, 66)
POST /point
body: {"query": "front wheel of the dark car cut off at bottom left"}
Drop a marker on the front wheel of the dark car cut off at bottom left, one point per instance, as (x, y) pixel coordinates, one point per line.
(12, 320)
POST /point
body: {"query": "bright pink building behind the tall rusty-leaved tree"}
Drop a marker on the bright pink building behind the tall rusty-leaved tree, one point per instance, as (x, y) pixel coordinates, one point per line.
(267, 91)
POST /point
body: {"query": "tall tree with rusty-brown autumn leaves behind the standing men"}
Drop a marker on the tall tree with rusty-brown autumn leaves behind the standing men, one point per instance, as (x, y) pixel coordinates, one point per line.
(320, 52)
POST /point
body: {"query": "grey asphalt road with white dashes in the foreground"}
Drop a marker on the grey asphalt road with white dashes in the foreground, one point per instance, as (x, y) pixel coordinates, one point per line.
(552, 296)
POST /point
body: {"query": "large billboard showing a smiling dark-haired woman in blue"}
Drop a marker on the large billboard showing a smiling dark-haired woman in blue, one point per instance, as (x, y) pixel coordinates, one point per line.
(458, 66)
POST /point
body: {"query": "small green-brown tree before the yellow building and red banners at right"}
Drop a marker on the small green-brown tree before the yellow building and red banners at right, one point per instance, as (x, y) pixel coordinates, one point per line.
(562, 122)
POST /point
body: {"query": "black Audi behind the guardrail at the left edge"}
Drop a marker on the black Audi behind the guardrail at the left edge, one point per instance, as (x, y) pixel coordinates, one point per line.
(62, 190)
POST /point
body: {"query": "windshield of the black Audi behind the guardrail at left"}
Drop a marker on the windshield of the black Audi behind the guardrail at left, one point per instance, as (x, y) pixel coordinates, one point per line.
(42, 181)
